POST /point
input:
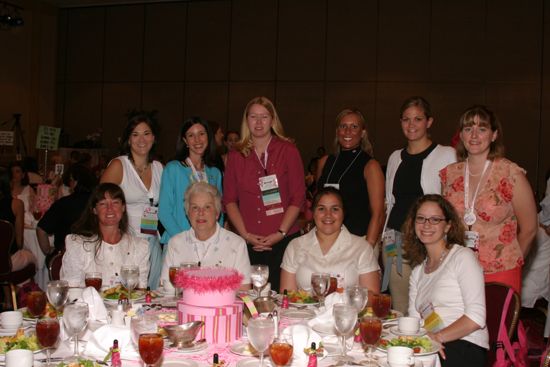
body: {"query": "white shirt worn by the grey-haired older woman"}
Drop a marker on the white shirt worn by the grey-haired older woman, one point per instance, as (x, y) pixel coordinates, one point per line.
(223, 248)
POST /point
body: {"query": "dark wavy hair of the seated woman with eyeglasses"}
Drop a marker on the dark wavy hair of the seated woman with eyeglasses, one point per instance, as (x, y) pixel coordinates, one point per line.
(415, 251)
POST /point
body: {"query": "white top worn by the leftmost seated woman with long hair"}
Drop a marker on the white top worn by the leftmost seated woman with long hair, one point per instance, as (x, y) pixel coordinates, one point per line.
(80, 258)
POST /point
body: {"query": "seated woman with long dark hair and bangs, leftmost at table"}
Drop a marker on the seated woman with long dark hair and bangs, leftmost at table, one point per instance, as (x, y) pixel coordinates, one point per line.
(101, 241)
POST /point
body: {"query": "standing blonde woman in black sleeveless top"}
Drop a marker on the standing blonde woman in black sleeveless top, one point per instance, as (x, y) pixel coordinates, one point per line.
(353, 170)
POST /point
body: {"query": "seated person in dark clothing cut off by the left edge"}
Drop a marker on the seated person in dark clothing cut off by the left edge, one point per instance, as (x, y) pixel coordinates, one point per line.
(12, 210)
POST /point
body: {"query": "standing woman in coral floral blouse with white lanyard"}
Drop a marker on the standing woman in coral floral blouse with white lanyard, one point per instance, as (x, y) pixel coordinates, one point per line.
(492, 196)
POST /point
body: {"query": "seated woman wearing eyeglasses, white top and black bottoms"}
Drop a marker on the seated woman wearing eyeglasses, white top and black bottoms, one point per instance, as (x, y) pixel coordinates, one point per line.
(446, 285)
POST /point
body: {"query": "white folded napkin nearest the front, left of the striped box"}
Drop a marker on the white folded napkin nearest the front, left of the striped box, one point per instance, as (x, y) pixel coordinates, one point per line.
(102, 340)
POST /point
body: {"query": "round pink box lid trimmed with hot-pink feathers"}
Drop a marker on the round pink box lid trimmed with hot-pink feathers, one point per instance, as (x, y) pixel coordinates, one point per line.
(206, 280)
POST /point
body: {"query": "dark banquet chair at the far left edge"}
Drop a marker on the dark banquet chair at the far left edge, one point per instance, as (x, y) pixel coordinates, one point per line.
(8, 278)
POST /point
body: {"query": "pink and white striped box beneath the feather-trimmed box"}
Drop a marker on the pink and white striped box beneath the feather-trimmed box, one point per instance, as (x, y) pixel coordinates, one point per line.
(222, 324)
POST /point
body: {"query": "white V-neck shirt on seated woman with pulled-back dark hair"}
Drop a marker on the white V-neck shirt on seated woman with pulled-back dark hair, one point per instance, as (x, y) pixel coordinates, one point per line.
(349, 257)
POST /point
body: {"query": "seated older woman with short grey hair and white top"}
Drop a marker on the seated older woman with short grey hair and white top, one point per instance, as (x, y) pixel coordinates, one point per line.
(206, 243)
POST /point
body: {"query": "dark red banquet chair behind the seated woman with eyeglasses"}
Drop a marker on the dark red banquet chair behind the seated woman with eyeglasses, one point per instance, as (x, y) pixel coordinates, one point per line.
(495, 296)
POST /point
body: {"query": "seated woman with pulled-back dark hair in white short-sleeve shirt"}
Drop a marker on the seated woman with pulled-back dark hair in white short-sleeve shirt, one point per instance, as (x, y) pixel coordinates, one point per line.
(329, 248)
